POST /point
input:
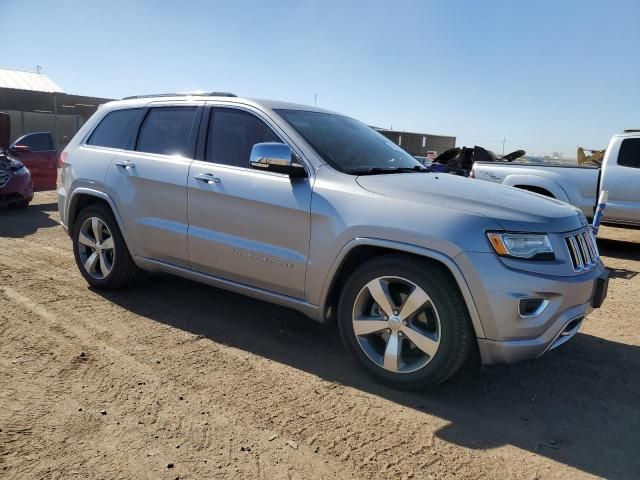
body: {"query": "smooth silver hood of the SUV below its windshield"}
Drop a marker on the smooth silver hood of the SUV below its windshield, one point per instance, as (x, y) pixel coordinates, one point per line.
(511, 208)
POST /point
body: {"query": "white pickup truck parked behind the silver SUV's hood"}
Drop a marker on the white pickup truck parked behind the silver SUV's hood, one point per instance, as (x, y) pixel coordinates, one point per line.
(581, 186)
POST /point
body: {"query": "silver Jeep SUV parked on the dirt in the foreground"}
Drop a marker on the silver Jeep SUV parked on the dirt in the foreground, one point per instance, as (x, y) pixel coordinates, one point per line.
(316, 211)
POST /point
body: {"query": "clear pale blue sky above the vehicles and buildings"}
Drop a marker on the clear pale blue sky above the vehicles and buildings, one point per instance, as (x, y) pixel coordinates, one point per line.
(547, 75)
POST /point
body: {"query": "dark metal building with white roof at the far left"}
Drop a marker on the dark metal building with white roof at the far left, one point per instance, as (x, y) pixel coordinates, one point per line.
(36, 104)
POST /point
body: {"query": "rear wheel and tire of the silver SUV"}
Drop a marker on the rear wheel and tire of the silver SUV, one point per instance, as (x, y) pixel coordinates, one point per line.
(110, 268)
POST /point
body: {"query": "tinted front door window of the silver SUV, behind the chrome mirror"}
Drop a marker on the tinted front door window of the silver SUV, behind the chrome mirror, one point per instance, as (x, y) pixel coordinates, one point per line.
(232, 135)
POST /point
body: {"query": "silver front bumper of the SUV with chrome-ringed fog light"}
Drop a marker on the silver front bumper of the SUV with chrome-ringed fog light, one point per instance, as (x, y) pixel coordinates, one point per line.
(497, 290)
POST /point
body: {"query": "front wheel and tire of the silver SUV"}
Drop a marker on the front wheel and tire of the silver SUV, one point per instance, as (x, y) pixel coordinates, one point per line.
(441, 326)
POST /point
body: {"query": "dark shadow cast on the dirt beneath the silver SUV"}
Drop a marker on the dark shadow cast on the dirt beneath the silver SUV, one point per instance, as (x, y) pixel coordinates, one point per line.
(577, 405)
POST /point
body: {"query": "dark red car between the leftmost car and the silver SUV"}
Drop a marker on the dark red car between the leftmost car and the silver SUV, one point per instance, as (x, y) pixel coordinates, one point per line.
(37, 152)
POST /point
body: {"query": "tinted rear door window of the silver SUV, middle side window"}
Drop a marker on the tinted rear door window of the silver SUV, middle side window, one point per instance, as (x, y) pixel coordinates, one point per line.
(167, 131)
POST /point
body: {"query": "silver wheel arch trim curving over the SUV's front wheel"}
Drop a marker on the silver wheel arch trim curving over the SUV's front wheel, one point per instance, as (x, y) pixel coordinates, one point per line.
(362, 249)
